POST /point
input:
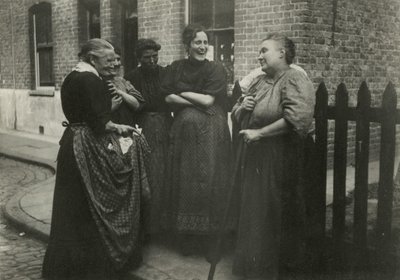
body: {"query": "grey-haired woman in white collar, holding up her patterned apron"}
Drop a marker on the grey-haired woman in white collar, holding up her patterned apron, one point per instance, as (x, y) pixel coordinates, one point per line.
(96, 208)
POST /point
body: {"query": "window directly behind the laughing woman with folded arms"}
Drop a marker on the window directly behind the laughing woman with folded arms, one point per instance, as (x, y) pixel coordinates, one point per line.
(217, 16)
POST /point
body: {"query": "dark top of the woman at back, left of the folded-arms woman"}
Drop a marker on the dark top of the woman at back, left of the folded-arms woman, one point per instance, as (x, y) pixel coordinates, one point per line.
(147, 82)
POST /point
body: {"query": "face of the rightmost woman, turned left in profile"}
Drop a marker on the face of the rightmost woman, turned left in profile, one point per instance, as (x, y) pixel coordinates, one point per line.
(272, 56)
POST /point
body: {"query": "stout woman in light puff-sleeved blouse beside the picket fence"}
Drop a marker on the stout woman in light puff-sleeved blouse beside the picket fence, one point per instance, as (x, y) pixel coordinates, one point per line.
(274, 117)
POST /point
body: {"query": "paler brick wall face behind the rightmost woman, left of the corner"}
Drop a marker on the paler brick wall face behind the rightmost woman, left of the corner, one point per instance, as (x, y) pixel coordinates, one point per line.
(255, 18)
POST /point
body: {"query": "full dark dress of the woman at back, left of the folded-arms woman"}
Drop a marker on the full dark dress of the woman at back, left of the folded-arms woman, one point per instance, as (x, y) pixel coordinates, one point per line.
(155, 119)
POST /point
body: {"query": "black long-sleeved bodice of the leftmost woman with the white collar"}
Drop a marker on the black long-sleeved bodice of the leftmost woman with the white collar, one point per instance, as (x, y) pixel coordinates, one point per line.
(85, 99)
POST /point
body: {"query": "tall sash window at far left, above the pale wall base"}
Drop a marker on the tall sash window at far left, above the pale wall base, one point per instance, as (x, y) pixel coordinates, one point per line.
(41, 45)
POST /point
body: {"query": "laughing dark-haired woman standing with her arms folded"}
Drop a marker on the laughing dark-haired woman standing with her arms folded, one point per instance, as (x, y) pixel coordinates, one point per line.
(200, 143)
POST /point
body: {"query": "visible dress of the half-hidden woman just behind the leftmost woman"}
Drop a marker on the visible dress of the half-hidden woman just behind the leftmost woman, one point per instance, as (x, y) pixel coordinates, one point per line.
(124, 114)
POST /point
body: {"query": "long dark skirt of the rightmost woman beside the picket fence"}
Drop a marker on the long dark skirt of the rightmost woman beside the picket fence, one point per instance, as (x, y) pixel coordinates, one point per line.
(272, 218)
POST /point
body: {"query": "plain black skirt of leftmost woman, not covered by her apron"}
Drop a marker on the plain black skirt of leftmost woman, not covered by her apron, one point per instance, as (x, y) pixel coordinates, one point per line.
(75, 249)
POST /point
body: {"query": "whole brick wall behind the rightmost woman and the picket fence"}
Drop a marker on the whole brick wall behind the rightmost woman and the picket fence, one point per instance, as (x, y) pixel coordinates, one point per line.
(350, 42)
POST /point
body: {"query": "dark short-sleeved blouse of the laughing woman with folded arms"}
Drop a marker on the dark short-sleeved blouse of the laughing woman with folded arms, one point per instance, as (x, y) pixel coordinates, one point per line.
(206, 77)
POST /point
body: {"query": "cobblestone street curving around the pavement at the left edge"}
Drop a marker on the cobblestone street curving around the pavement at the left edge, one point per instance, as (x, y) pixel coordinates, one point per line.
(20, 255)
